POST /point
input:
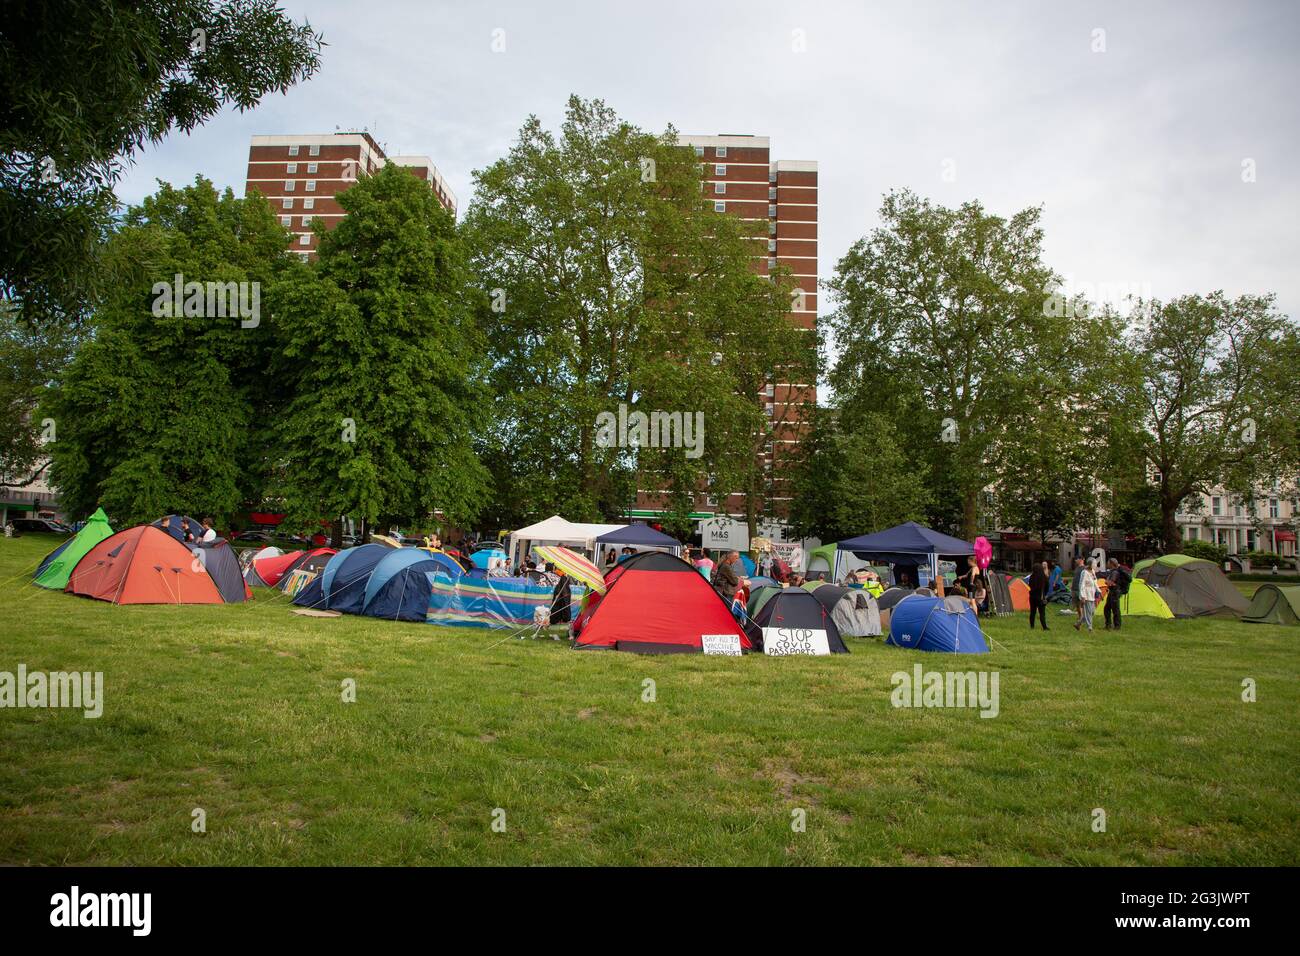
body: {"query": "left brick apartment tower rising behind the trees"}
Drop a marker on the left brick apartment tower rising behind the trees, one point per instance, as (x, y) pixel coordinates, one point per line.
(302, 175)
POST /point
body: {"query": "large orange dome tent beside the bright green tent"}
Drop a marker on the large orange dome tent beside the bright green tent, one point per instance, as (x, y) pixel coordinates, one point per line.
(144, 565)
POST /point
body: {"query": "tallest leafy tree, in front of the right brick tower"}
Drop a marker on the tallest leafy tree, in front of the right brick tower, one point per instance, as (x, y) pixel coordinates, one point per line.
(613, 283)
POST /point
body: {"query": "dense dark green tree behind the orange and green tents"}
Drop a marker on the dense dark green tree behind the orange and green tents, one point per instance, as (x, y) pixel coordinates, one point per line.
(159, 412)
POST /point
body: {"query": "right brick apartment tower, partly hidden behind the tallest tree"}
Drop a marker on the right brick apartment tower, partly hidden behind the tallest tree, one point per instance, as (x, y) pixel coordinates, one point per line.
(743, 180)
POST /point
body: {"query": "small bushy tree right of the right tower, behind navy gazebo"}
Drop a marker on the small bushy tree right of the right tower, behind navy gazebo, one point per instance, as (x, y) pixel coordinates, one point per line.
(856, 481)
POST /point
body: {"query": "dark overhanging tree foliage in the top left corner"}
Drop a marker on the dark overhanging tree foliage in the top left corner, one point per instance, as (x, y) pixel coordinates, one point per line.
(84, 86)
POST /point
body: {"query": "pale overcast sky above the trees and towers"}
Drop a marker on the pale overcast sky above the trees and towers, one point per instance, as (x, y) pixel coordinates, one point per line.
(1133, 140)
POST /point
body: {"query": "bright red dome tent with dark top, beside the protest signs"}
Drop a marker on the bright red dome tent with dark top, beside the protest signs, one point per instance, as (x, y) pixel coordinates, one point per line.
(656, 604)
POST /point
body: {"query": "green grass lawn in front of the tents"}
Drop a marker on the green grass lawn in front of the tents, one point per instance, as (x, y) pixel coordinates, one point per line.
(237, 711)
